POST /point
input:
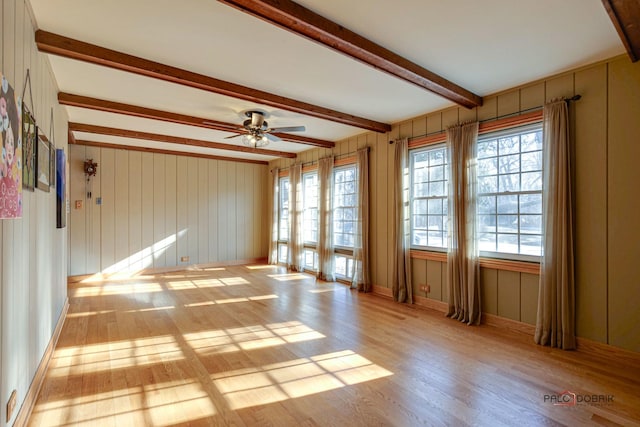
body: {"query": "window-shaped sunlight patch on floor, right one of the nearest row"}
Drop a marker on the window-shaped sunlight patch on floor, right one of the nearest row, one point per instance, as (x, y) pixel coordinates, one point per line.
(249, 387)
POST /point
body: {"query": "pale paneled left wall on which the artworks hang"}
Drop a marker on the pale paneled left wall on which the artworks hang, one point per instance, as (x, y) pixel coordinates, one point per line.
(33, 253)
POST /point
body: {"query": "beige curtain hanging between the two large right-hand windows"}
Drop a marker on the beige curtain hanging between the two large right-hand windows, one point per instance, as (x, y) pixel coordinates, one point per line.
(463, 267)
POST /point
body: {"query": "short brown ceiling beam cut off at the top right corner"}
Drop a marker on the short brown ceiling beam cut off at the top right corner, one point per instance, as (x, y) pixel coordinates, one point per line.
(625, 16)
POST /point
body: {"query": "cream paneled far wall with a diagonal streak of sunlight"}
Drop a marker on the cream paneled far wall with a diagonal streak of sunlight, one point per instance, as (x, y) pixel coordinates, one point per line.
(157, 208)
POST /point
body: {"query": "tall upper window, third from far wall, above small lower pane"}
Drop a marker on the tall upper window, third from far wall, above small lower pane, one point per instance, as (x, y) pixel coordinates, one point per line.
(344, 206)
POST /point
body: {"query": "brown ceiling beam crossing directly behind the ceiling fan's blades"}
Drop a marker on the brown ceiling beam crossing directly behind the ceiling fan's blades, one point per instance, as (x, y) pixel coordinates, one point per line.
(166, 116)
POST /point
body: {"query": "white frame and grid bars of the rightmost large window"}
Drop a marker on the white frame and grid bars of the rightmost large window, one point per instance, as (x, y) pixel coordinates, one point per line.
(519, 195)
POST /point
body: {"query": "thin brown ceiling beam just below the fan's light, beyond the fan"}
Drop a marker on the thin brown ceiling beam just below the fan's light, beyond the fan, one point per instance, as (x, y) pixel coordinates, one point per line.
(103, 130)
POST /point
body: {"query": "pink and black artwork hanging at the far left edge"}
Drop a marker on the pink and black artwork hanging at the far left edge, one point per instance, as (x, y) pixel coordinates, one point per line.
(11, 149)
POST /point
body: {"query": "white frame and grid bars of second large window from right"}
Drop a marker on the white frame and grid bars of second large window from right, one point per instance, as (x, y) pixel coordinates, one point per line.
(430, 199)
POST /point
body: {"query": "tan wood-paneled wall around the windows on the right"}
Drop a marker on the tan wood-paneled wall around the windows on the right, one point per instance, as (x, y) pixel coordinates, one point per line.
(606, 130)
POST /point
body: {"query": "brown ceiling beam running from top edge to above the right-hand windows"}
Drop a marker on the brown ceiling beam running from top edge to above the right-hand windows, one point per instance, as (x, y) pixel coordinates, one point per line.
(301, 21)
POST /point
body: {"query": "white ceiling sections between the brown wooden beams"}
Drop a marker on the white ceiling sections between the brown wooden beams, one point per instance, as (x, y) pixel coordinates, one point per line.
(483, 46)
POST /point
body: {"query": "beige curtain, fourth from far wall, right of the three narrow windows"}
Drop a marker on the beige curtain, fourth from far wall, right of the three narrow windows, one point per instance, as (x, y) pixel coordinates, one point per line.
(361, 277)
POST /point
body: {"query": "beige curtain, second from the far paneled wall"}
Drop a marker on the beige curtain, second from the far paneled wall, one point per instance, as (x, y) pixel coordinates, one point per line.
(296, 246)
